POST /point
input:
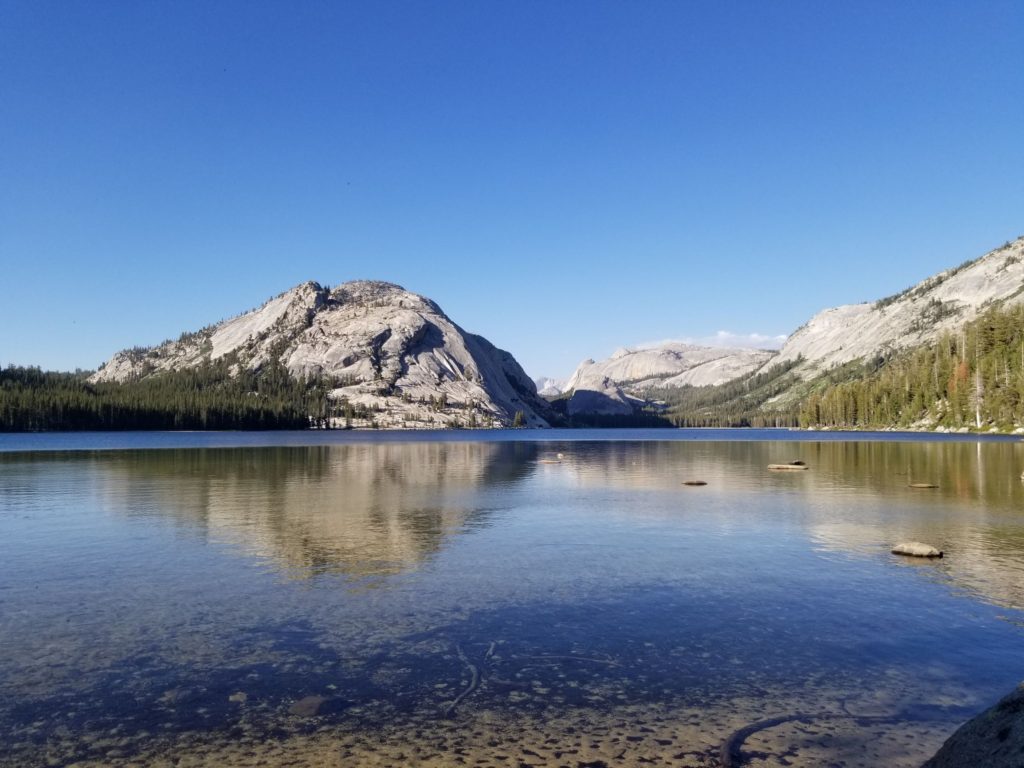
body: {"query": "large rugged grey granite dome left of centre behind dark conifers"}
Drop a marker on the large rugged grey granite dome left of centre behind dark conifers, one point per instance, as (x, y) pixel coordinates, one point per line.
(386, 353)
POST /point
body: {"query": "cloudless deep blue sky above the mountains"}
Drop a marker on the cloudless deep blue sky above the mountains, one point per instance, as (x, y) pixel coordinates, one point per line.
(564, 179)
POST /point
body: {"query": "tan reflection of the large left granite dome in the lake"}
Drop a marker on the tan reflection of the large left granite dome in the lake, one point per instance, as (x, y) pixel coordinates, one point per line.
(357, 510)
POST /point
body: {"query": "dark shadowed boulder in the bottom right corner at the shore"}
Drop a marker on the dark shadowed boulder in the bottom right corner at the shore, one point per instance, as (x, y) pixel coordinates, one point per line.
(994, 740)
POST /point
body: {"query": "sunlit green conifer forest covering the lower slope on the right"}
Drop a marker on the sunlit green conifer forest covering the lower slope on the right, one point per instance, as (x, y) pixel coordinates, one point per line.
(971, 378)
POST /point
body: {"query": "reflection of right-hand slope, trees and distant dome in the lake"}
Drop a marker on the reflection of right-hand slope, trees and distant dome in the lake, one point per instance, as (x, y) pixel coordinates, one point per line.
(857, 497)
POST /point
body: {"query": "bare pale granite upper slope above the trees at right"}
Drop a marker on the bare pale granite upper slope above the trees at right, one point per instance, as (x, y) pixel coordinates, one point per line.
(915, 317)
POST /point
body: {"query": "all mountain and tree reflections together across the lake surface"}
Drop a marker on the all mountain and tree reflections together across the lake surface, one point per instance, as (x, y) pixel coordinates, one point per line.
(380, 509)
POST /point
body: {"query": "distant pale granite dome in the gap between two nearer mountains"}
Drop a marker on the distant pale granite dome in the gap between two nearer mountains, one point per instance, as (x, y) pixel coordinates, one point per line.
(618, 387)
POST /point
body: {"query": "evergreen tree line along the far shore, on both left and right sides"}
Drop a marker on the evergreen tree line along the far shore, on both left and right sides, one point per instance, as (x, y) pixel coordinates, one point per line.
(973, 377)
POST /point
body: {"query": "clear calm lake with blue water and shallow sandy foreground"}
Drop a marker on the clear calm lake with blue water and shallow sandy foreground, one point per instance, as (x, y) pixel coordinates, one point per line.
(503, 600)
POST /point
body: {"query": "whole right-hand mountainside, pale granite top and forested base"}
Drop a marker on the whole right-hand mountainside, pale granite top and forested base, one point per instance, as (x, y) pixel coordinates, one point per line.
(946, 354)
